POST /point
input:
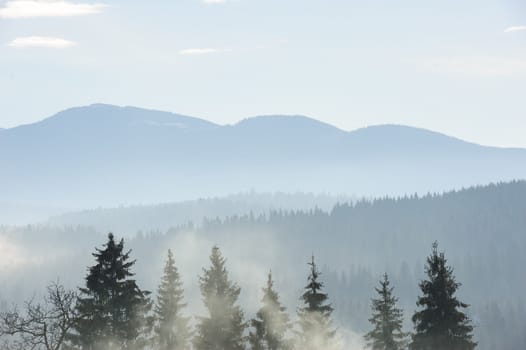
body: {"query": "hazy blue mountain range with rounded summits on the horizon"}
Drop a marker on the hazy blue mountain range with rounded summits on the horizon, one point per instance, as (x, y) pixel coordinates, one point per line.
(108, 155)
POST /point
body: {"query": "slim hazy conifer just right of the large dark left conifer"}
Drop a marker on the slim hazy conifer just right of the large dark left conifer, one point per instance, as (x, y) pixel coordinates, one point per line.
(172, 328)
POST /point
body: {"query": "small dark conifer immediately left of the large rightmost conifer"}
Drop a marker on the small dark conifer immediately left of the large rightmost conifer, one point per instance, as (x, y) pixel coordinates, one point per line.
(387, 320)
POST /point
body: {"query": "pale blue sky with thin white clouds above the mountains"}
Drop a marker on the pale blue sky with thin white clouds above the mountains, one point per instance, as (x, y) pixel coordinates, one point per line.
(457, 67)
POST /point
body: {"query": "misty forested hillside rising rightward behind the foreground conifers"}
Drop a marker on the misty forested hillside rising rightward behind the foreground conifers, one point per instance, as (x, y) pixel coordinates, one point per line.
(482, 229)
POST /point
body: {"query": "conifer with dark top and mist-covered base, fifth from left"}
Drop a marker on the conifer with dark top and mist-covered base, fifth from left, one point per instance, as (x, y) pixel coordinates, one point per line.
(314, 318)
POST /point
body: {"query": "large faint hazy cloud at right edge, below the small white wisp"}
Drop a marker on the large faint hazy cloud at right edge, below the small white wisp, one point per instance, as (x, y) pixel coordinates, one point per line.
(476, 66)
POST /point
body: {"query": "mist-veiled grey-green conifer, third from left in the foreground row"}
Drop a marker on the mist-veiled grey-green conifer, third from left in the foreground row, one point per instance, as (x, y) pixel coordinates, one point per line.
(223, 328)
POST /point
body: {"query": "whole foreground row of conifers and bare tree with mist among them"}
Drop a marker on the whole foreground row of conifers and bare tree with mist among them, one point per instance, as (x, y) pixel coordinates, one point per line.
(111, 312)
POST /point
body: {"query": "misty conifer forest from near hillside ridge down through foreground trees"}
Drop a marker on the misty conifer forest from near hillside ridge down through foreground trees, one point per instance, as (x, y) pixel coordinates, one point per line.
(276, 280)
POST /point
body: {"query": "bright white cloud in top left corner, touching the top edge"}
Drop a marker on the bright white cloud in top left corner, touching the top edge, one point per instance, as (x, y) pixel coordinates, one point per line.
(47, 8)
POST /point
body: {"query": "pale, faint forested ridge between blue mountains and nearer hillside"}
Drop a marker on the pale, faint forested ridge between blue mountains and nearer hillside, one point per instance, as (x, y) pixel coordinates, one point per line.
(129, 219)
